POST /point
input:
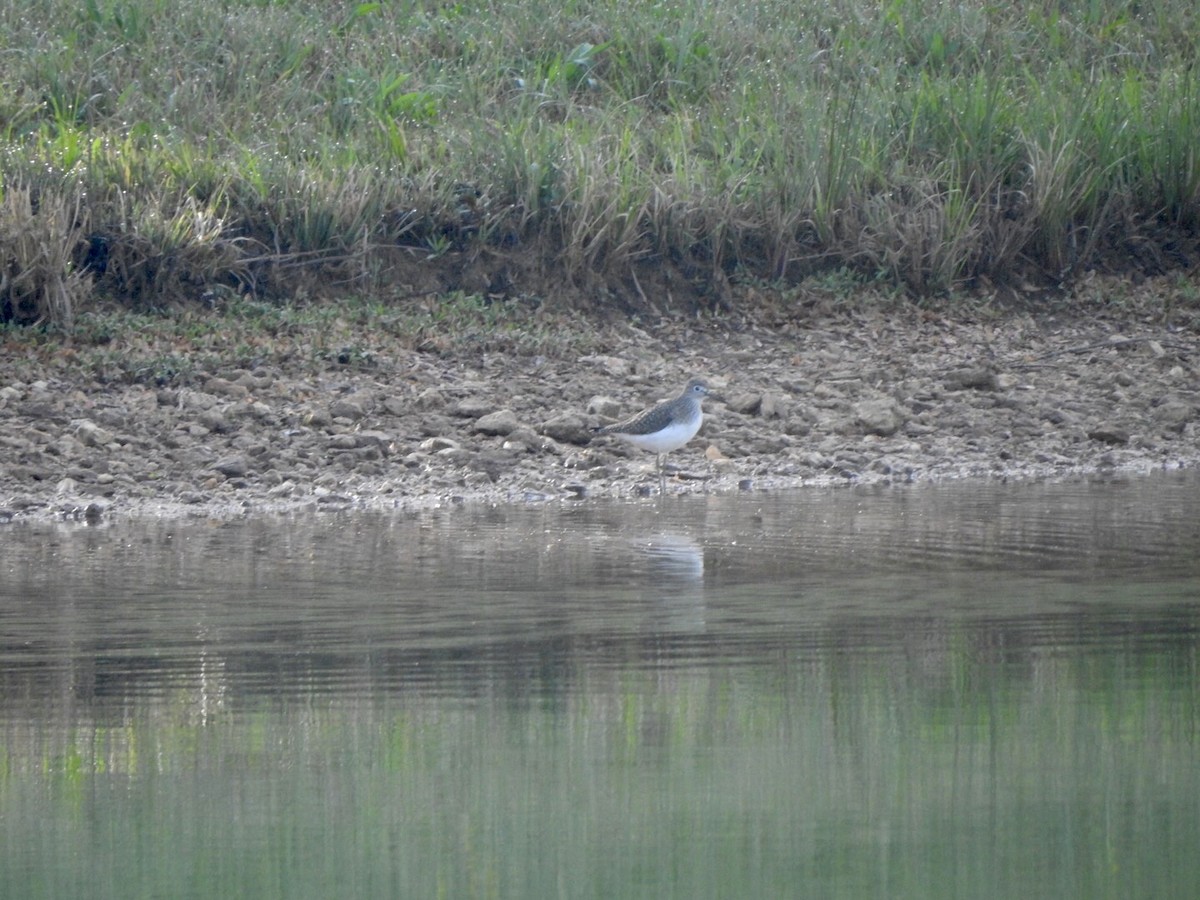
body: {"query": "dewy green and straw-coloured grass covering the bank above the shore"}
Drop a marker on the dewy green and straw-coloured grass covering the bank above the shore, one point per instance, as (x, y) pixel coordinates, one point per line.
(152, 152)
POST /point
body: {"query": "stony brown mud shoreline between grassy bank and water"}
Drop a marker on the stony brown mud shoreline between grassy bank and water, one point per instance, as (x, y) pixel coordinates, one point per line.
(826, 399)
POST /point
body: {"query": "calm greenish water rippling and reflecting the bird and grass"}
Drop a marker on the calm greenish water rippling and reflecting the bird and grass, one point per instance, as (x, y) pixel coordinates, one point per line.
(967, 691)
